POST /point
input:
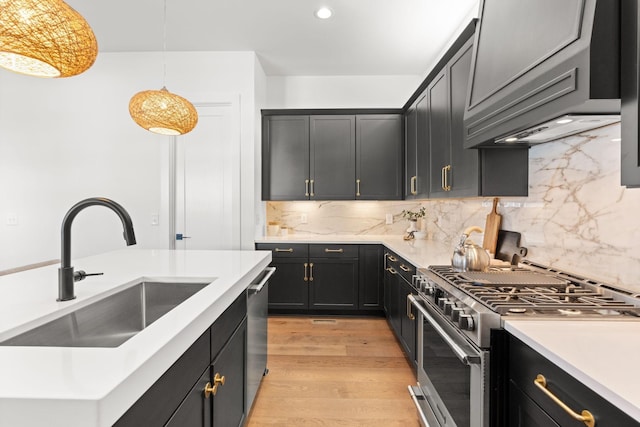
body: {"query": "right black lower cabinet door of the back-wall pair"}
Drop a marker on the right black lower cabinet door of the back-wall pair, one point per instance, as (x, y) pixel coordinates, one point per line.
(333, 284)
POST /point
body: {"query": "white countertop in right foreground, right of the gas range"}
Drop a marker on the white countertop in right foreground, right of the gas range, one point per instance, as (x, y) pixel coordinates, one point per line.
(601, 354)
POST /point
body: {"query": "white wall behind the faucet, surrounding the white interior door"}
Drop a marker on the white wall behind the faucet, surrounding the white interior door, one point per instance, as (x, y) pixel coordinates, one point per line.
(63, 140)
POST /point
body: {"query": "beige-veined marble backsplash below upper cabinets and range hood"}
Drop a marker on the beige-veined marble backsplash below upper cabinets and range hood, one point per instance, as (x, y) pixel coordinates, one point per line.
(577, 216)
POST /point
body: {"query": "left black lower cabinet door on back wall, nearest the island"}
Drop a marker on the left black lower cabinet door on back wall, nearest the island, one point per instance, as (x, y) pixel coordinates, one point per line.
(288, 288)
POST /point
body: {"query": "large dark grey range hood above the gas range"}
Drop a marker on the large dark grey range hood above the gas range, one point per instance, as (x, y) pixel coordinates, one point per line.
(543, 70)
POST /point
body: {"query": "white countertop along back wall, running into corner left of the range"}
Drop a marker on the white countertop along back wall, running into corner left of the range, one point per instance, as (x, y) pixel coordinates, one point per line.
(421, 253)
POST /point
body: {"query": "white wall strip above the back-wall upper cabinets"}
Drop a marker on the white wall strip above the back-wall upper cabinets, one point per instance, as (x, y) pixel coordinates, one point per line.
(340, 91)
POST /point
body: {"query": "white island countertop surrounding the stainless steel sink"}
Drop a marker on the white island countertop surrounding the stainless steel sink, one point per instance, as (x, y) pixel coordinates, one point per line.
(56, 386)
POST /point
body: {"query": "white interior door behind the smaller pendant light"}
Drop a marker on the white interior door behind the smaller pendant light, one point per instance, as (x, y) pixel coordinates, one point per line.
(207, 180)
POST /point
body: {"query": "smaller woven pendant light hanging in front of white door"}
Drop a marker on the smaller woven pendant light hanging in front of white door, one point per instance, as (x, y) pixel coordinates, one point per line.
(163, 112)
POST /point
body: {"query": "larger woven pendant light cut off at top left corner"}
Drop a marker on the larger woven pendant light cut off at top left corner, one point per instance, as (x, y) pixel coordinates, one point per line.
(45, 38)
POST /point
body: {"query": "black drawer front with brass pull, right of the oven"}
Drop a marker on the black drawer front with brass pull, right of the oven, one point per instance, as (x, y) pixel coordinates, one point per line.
(524, 366)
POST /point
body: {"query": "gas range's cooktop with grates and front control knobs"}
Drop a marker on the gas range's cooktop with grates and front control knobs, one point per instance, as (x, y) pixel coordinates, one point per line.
(476, 302)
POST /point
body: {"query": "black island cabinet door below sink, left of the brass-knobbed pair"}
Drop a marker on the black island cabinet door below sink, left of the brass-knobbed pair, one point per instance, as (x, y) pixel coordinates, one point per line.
(195, 409)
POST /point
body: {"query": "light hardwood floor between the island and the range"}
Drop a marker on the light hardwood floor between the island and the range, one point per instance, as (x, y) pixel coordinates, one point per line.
(334, 372)
